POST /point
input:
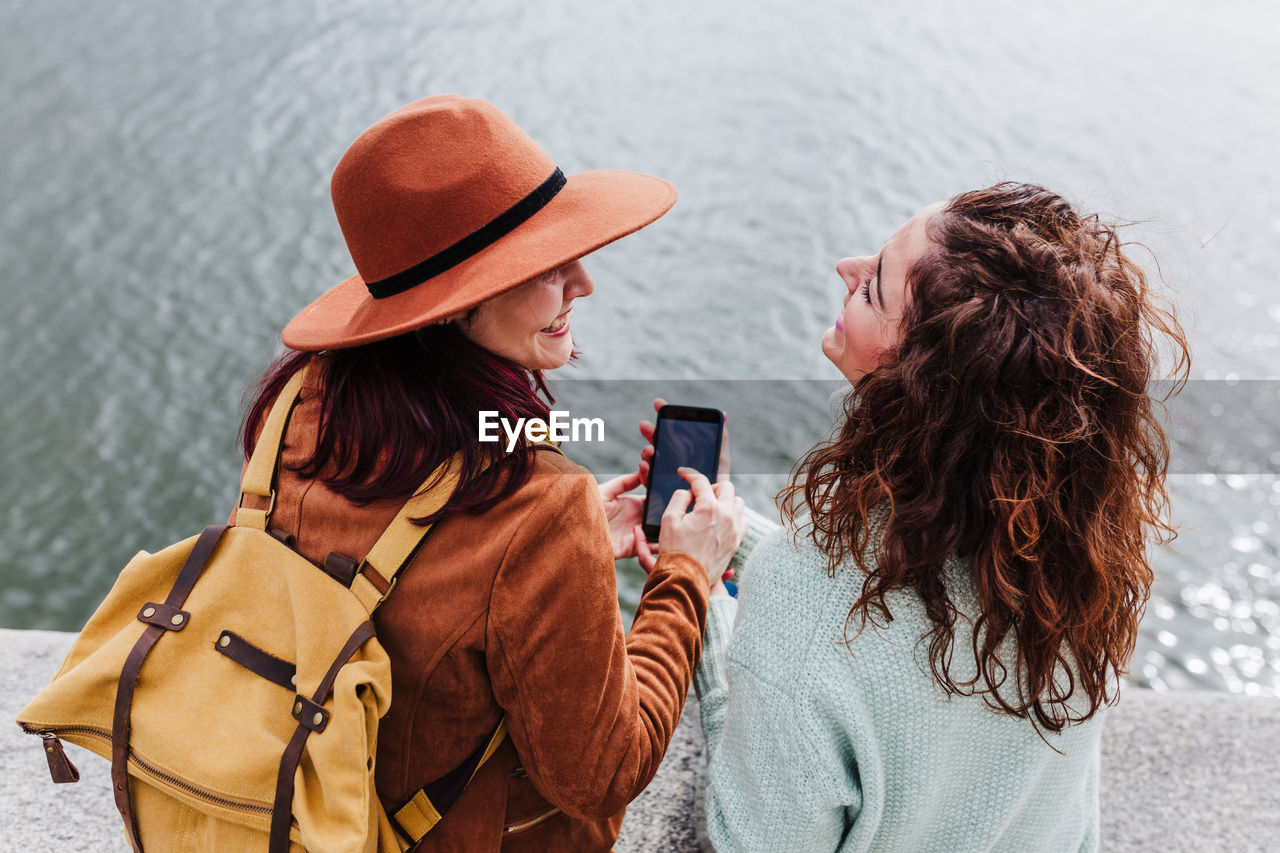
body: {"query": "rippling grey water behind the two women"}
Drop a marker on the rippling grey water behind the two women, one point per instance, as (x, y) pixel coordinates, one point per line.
(164, 170)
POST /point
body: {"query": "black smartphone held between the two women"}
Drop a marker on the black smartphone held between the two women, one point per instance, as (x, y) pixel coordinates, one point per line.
(684, 437)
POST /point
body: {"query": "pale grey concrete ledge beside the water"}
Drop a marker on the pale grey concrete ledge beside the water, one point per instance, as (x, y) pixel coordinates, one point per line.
(1181, 772)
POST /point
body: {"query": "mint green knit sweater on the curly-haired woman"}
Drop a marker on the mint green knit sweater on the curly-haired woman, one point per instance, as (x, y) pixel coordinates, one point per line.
(815, 745)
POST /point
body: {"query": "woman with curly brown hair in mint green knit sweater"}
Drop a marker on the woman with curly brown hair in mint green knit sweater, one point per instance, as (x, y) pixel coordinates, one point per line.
(921, 662)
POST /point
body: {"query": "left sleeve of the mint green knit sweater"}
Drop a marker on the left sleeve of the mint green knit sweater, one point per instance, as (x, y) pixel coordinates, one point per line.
(775, 779)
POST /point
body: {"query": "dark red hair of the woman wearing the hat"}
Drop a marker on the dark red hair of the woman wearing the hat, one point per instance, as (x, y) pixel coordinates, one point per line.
(394, 412)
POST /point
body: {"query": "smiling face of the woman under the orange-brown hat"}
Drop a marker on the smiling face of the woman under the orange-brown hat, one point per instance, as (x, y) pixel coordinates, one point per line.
(531, 323)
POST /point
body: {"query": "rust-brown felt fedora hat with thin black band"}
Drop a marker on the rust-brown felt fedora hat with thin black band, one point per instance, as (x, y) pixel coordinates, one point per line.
(445, 204)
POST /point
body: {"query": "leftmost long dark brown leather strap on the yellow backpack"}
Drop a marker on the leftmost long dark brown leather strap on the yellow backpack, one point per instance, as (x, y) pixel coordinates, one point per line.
(182, 587)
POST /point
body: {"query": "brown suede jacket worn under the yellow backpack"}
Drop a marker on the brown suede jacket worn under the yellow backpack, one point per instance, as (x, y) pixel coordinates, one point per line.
(514, 613)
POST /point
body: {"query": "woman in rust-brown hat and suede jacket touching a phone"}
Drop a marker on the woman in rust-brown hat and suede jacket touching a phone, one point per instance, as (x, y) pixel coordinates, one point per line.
(468, 241)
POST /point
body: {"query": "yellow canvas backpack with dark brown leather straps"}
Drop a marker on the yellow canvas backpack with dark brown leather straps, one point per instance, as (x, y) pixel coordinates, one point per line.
(236, 687)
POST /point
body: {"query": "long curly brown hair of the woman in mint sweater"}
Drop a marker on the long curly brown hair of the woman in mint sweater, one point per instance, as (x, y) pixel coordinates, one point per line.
(1012, 426)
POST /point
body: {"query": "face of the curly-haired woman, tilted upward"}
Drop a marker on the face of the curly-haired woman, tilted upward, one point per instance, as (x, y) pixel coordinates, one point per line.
(876, 299)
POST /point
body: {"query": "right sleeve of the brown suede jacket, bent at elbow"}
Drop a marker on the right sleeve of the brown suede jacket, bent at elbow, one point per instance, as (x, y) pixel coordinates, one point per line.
(589, 711)
